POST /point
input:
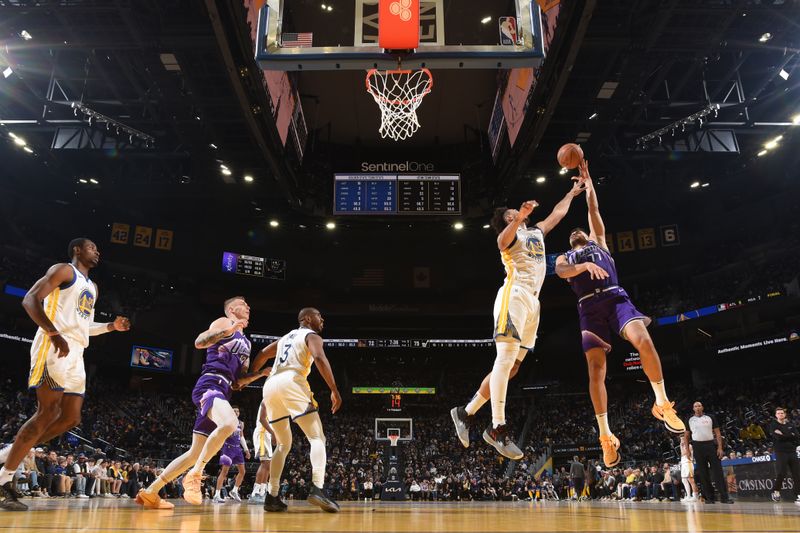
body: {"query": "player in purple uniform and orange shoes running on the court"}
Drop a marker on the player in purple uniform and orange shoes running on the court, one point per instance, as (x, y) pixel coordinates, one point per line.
(227, 359)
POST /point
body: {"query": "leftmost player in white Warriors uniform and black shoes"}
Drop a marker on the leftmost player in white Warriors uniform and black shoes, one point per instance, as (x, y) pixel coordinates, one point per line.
(62, 305)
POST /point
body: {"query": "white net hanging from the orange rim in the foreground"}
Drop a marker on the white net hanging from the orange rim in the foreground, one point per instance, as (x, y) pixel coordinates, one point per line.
(399, 93)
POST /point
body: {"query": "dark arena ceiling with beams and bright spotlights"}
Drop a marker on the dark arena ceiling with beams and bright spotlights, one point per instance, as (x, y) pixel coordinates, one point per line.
(180, 71)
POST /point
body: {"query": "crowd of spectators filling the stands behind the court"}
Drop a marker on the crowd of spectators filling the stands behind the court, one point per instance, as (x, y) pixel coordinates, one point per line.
(124, 438)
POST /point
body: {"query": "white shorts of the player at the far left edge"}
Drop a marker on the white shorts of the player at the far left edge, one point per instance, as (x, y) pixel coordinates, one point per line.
(59, 373)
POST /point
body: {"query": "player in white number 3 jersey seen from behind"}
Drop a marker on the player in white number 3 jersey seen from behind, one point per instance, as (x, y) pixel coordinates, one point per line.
(288, 398)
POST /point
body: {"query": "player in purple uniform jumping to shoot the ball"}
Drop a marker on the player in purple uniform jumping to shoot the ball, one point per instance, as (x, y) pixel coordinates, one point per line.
(604, 307)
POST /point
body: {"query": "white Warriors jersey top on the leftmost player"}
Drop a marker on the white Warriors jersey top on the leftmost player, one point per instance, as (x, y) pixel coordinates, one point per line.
(70, 307)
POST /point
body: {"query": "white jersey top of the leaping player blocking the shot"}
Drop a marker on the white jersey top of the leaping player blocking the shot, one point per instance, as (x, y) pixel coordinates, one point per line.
(524, 260)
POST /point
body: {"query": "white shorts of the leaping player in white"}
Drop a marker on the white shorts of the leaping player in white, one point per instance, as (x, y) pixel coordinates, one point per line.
(516, 316)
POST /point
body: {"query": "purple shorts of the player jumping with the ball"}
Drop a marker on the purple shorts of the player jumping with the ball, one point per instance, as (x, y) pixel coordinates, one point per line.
(604, 313)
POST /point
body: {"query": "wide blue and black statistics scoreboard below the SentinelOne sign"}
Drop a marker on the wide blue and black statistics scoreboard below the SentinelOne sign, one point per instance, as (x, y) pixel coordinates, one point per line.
(397, 194)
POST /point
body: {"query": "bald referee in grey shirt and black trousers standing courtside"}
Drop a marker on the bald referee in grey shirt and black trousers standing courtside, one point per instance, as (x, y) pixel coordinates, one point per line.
(703, 430)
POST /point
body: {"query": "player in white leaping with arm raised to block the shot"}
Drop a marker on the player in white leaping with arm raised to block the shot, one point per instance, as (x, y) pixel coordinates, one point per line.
(516, 314)
